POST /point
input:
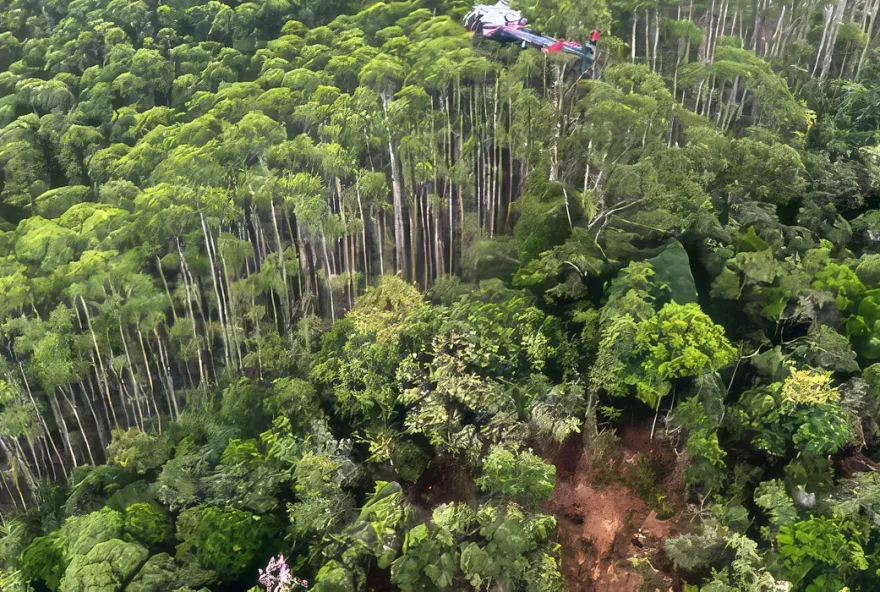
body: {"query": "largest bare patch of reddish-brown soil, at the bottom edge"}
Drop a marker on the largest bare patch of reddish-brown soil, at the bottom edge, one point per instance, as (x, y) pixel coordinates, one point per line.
(603, 525)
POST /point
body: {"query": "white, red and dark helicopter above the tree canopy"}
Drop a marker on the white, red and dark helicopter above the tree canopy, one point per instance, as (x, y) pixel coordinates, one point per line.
(502, 24)
